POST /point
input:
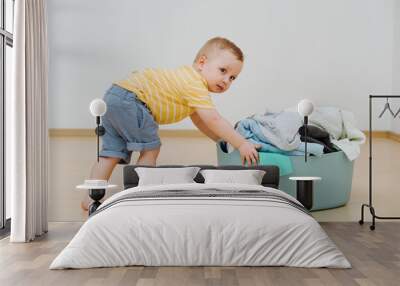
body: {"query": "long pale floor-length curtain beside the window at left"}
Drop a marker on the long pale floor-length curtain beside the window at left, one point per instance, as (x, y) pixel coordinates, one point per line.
(27, 131)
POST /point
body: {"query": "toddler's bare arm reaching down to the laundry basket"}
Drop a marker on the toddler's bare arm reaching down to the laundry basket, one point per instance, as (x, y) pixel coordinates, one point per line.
(224, 130)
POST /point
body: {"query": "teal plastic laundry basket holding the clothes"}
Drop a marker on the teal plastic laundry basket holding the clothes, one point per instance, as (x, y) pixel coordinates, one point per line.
(334, 168)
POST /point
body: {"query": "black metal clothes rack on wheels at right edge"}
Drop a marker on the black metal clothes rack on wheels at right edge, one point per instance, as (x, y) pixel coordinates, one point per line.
(369, 205)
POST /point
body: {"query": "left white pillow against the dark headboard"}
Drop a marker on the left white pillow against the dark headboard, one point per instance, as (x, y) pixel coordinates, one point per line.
(162, 176)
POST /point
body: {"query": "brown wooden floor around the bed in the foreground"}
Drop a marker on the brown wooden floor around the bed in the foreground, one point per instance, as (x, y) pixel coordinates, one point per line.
(374, 255)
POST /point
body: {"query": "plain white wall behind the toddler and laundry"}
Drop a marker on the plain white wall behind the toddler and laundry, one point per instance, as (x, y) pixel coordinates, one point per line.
(335, 52)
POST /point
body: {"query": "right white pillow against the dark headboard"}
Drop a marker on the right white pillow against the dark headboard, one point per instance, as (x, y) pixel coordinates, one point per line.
(249, 177)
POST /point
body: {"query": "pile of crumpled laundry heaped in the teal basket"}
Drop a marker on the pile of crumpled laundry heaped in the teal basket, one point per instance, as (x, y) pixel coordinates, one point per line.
(329, 129)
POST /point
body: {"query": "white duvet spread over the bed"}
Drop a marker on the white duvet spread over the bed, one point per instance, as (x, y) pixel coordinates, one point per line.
(200, 231)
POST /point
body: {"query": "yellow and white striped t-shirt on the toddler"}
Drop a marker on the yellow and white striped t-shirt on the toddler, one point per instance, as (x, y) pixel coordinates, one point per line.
(170, 94)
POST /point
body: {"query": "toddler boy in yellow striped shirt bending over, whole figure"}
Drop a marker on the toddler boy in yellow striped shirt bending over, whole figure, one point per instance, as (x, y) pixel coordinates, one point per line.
(137, 105)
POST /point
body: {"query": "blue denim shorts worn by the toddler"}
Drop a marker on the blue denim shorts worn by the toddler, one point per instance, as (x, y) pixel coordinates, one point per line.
(129, 125)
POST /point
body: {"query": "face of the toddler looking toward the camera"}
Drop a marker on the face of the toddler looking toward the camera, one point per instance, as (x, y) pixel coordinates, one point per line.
(219, 69)
